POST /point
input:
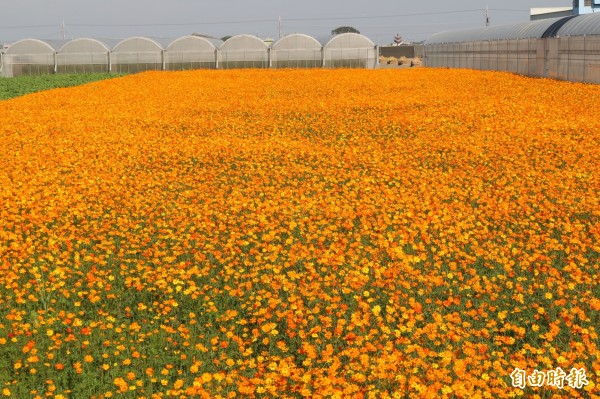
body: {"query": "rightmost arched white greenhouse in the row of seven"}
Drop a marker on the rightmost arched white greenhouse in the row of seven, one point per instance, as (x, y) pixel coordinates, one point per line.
(349, 50)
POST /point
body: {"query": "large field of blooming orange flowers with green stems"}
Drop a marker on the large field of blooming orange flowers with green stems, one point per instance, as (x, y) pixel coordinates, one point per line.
(301, 233)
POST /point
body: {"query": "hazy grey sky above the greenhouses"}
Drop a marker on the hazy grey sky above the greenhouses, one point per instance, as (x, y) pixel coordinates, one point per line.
(378, 19)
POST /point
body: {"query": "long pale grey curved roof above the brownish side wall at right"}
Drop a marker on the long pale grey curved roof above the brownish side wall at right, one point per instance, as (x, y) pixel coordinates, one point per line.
(523, 30)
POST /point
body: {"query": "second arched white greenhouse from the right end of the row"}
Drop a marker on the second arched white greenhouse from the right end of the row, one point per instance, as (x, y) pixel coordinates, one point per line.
(297, 51)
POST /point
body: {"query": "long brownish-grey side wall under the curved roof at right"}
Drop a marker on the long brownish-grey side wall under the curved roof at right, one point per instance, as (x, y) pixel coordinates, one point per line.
(572, 58)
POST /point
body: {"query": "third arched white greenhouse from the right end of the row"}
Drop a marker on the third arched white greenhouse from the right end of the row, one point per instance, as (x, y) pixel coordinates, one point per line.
(244, 51)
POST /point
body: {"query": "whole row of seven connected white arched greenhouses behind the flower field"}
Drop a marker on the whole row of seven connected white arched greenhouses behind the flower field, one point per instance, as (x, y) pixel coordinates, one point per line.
(136, 54)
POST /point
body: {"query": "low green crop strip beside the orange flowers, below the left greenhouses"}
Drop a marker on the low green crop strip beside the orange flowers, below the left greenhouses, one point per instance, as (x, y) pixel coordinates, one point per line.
(18, 86)
